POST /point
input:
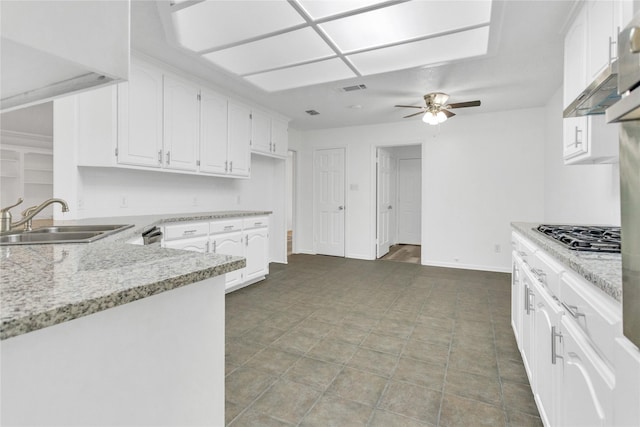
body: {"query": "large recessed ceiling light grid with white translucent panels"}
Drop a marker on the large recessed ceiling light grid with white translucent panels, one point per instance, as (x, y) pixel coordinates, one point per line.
(279, 44)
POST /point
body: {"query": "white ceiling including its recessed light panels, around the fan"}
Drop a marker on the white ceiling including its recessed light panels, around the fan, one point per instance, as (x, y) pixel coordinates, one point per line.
(243, 53)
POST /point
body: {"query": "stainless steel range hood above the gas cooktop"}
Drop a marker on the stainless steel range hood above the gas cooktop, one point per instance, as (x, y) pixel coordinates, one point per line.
(598, 96)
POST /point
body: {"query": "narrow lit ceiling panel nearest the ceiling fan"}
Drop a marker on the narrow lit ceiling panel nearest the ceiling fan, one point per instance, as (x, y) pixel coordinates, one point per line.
(431, 51)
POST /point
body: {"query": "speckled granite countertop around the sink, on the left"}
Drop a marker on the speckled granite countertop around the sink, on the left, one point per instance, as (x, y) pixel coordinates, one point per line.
(43, 285)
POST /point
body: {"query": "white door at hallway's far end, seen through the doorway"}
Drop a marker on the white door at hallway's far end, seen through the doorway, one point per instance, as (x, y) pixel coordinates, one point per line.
(409, 201)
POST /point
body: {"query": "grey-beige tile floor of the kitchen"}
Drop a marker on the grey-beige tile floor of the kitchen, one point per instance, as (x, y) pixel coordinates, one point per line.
(327, 341)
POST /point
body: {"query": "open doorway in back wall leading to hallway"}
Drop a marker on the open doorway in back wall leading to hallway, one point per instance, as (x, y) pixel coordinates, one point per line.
(398, 203)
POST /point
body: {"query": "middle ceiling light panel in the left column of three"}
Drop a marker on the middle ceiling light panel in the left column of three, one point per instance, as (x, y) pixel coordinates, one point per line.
(285, 49)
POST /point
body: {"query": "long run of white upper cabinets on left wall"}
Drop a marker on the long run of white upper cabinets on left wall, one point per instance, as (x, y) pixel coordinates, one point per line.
(161, 121)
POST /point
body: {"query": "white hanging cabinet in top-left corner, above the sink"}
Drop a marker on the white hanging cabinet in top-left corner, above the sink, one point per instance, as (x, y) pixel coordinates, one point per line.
(53, 48)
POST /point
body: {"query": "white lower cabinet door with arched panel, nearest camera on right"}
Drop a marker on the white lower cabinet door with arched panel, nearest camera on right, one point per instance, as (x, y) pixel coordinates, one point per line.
(586, 382)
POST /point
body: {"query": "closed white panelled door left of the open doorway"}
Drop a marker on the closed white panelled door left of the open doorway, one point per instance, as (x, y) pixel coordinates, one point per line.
(329, 197)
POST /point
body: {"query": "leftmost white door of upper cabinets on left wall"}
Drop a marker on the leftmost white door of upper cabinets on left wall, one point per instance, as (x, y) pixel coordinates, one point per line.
(140, 117)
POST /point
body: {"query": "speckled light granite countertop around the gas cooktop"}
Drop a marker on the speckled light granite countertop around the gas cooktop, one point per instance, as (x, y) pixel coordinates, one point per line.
(604, 270)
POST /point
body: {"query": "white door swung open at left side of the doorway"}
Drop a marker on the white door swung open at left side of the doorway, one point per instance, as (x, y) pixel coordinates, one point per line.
(384, 203)
